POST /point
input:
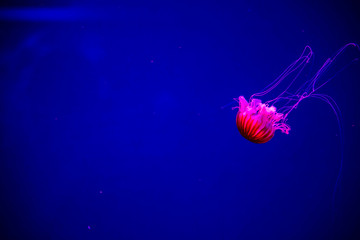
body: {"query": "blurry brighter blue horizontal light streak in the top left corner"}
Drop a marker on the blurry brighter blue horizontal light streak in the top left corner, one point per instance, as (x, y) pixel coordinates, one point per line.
(45, 14)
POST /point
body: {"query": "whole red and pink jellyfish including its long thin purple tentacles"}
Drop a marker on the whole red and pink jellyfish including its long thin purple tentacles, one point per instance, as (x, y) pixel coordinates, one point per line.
(258, 121)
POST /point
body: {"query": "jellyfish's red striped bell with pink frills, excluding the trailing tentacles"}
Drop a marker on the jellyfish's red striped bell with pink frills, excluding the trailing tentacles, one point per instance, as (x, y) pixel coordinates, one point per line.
(257, 122)
